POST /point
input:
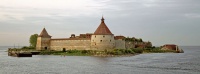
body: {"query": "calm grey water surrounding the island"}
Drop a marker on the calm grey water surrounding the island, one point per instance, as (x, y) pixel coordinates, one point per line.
(155, 63)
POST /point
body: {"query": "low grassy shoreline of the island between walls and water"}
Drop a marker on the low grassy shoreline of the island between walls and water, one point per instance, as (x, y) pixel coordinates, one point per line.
(102, 53)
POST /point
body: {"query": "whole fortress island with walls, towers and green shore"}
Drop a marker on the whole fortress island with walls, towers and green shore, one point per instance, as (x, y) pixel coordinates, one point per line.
(100, 43)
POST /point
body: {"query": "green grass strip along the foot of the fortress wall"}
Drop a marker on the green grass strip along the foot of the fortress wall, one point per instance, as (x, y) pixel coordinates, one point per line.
(88, 52)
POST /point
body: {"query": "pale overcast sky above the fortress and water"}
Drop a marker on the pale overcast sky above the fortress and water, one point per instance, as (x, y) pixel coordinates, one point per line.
(159, 21)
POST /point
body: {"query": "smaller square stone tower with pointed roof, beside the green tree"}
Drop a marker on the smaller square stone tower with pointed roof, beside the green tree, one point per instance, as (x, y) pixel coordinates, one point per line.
(43, 40)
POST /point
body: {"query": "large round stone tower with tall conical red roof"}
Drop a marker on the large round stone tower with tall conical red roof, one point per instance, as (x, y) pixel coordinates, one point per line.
(102, 38)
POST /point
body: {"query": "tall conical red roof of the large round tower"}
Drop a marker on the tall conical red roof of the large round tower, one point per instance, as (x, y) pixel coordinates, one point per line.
(102, 29)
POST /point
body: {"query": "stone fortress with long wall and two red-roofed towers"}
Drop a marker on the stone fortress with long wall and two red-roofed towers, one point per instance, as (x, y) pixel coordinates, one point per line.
(101, 39)
